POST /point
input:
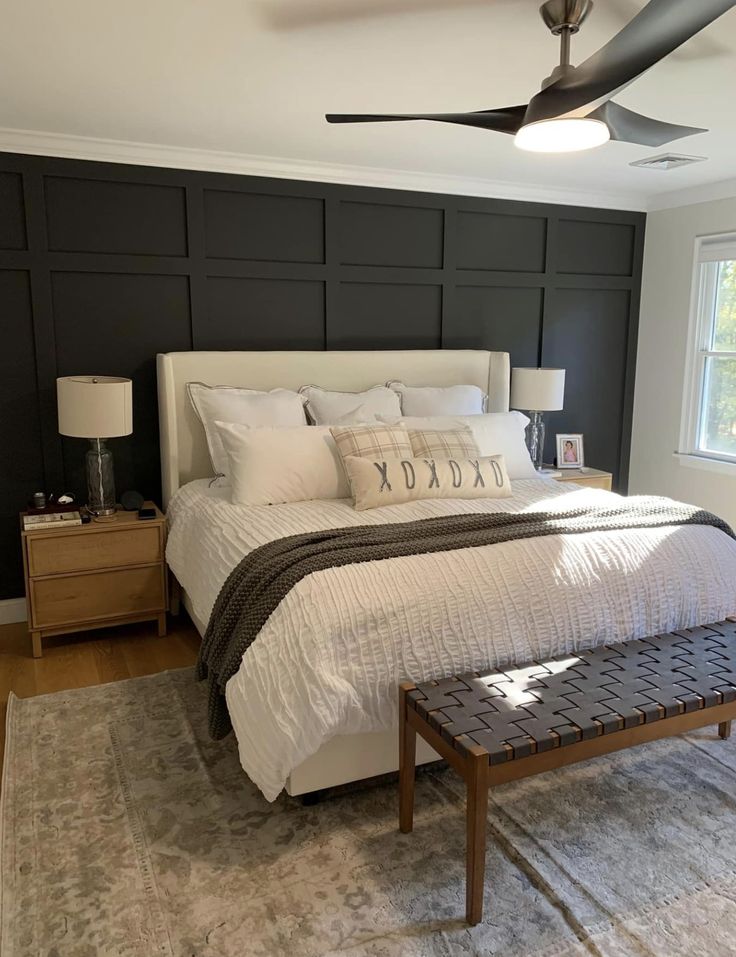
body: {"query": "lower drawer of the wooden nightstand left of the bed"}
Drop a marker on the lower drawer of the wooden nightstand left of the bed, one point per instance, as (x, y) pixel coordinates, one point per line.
(99, 595)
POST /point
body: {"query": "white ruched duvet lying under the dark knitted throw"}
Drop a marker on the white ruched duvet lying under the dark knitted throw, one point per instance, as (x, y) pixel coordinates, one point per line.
(329, 659)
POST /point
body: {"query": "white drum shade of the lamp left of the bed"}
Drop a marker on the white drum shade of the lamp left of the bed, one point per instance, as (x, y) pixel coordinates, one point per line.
(95, 407)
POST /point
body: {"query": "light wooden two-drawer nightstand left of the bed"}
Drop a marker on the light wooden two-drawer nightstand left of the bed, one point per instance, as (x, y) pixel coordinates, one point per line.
(92, 576)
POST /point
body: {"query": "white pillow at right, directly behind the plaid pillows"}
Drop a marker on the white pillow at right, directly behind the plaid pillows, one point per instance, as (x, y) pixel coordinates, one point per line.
(495, 433)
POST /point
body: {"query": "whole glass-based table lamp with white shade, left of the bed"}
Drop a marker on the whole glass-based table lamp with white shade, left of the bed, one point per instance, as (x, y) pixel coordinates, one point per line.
(96, 408)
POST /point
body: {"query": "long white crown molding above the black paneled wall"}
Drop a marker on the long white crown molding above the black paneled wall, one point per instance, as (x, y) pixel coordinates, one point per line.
(182, 157)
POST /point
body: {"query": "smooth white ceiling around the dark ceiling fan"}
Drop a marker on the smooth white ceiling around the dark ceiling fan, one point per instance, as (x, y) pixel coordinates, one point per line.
(256, 76)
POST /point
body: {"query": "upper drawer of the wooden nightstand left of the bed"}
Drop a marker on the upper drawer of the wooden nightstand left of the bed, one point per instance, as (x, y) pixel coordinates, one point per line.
(91, 550)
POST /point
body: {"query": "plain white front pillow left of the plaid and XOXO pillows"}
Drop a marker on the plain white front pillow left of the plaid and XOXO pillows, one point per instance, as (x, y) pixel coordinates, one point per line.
(272, 466)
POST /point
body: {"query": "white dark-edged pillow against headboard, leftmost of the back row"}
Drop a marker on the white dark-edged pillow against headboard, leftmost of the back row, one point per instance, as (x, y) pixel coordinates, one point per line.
(280, 408)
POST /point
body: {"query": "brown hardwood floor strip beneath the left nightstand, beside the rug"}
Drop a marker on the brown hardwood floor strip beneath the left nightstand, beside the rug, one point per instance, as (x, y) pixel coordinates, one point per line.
(89, 658)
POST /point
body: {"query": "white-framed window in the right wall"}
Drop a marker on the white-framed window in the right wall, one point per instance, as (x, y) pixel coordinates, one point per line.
(709, 413)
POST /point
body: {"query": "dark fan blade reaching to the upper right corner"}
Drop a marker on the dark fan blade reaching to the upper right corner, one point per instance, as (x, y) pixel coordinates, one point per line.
(661, 27)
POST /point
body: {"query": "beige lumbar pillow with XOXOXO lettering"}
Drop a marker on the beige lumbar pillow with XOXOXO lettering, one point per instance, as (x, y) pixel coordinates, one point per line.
(394, 481)
